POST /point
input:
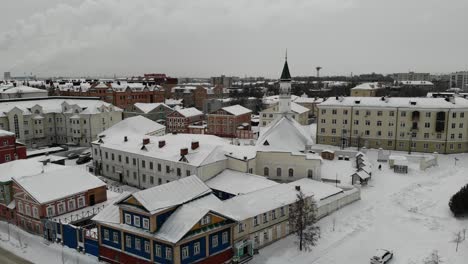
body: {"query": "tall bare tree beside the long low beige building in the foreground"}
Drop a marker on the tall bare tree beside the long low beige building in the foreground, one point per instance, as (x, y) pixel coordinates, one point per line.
(302, 219)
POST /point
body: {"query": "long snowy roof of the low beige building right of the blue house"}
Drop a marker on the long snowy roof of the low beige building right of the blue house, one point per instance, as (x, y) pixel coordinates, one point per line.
(251, 204)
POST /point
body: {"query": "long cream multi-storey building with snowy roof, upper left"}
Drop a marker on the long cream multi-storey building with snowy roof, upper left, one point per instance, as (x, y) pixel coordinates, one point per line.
(46, 121)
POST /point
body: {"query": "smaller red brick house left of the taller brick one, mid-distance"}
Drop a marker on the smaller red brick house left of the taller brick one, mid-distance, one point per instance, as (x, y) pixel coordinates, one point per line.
(180, 120)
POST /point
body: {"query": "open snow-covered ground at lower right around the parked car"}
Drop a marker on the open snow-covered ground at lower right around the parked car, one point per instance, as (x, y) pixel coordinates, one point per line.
(406, 213)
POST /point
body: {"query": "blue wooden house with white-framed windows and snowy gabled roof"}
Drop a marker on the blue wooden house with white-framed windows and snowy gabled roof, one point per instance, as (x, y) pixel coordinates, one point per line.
(175, 223)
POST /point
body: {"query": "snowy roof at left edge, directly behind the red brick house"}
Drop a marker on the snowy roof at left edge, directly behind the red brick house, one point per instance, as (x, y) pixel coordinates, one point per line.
(24, 167)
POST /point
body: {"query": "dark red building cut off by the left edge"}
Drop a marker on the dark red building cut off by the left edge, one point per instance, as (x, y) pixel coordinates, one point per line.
(9, 148)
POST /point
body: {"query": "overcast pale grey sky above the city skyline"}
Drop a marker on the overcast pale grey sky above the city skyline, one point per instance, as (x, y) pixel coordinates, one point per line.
(242, 37)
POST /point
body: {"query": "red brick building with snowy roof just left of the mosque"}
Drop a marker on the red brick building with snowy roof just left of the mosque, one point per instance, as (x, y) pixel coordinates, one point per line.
(227, 121)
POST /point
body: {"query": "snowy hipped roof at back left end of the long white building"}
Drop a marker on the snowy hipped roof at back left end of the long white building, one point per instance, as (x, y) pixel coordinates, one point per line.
(136, 125)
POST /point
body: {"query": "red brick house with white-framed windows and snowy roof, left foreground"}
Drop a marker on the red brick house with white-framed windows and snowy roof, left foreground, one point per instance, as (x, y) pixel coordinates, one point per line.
(54, 193)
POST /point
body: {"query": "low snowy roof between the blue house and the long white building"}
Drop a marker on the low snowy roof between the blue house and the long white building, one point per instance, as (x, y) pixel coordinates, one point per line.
(235, 182)
